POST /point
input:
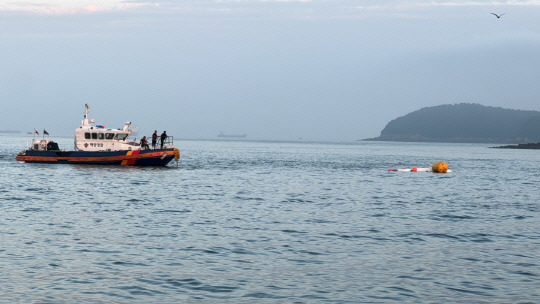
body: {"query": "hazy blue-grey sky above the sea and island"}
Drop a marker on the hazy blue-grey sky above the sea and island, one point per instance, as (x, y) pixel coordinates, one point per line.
(333, 70)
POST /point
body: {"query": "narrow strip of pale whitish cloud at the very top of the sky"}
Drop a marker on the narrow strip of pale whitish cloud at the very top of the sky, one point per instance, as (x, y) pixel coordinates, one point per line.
(65, 7)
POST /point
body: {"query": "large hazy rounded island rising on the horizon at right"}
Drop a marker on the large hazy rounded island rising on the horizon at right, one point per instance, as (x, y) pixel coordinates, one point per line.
(465, 123)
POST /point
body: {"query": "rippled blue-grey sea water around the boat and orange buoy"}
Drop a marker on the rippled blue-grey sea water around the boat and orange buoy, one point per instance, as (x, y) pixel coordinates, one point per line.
(272, 222)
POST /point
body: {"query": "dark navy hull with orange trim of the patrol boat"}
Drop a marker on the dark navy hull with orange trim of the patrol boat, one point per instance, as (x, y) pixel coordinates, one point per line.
(158, 157)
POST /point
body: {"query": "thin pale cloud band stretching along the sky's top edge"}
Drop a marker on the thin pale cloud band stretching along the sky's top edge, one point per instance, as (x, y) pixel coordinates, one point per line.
(286, 8)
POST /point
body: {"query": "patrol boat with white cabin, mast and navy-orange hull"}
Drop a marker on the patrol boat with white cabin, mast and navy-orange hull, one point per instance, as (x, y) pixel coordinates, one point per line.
(97, 145)
